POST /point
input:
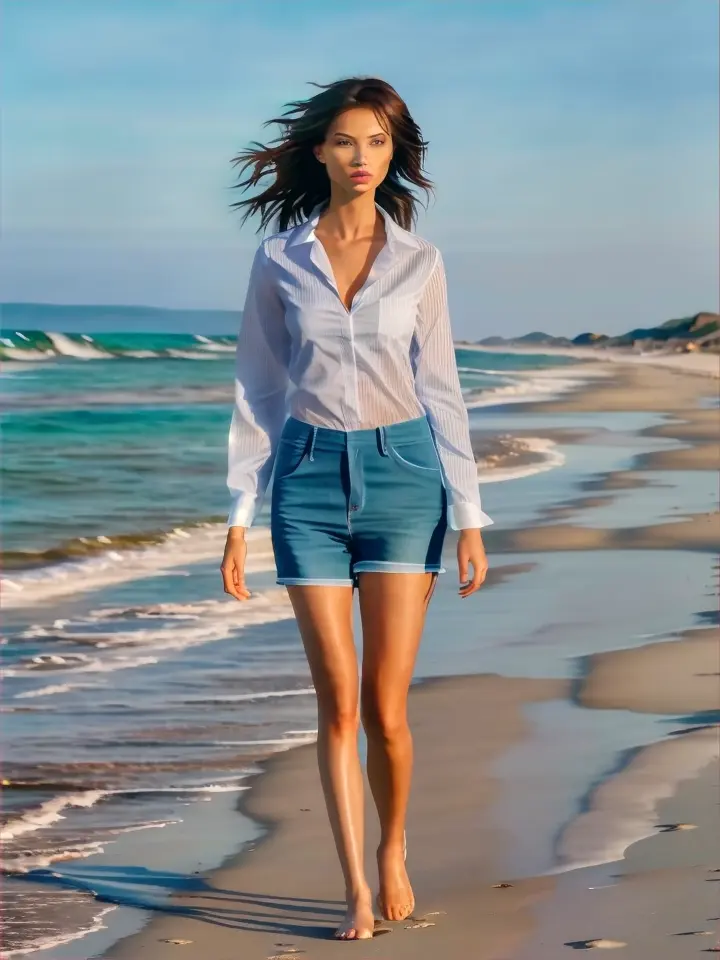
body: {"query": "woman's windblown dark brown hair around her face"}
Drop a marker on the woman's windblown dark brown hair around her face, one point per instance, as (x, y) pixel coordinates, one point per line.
(301, 181)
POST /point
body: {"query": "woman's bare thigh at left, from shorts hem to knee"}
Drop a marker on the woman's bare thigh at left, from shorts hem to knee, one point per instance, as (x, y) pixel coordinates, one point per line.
(324, 617)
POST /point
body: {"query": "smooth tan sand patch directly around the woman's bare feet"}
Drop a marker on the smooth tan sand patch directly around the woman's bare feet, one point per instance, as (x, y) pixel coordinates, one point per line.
(284, 894)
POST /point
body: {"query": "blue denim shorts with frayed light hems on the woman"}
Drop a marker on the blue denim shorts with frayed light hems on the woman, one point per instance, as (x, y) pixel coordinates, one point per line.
(348, 501)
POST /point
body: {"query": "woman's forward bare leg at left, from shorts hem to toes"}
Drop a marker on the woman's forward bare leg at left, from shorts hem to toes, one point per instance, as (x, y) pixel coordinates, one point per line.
(324, 616)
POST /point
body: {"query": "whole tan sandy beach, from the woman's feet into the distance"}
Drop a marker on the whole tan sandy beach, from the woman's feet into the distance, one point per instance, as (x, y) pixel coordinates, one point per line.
(654, 815)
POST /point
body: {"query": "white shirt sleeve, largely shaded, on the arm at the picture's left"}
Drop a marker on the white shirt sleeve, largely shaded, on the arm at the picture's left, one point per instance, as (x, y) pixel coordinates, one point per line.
(261, 380)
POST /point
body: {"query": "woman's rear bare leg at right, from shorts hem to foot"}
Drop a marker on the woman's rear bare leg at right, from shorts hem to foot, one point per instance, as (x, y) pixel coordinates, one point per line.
(393, 608)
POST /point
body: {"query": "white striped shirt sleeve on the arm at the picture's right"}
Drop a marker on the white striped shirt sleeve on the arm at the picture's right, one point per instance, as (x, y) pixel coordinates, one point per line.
(437, 385)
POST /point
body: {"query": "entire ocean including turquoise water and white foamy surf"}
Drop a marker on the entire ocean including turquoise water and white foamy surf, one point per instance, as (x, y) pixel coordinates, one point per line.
(133, 687)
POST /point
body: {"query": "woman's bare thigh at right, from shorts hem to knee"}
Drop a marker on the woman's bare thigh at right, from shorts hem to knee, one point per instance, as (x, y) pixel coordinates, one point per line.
(392, 608)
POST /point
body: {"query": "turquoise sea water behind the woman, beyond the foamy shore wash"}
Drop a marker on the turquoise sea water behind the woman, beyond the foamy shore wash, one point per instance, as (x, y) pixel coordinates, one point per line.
(119, 444)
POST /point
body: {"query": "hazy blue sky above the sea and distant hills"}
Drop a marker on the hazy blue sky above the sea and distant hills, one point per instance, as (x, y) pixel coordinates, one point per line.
(573, 144)
